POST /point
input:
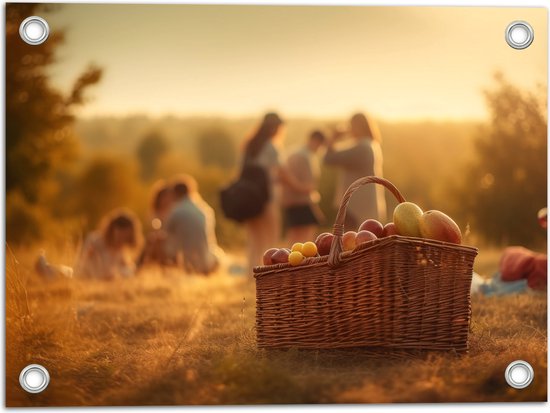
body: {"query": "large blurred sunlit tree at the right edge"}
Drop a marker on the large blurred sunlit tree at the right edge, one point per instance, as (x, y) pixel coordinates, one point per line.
(507, 184)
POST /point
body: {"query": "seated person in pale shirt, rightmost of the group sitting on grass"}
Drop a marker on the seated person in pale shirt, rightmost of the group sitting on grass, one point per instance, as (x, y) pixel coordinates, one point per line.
(191, 240)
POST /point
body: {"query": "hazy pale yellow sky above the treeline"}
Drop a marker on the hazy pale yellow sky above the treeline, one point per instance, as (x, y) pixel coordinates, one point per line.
(395, 62)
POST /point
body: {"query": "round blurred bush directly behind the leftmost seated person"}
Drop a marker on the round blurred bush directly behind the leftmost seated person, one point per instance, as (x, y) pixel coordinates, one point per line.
(107, 182)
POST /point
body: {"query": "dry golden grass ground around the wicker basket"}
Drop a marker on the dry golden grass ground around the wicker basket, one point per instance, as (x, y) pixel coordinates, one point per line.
(165, 338)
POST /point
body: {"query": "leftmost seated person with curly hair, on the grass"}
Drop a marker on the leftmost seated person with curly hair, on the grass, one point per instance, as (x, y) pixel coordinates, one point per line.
(109, 252)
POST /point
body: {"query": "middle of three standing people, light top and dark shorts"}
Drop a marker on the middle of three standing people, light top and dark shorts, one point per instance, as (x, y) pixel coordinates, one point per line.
(301, 210)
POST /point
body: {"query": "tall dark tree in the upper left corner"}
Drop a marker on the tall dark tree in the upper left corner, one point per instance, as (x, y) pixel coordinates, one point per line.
(39, 138)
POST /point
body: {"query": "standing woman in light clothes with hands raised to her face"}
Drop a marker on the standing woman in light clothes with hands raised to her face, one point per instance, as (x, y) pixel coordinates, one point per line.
(362, 158)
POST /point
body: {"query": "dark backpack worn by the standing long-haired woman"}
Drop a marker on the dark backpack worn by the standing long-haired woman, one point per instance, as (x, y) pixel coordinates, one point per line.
(246, 197)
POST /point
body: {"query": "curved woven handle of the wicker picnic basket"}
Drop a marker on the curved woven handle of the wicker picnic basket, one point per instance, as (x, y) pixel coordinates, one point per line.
(336, 248)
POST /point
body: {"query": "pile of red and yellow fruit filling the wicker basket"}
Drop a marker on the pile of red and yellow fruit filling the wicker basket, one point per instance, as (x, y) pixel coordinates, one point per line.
(408, 220)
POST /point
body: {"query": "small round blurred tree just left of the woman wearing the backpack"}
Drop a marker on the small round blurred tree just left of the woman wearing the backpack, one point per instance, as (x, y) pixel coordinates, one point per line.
(216, 147)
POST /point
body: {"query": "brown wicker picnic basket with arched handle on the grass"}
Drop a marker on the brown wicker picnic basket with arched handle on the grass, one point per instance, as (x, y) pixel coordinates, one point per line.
(391, 294)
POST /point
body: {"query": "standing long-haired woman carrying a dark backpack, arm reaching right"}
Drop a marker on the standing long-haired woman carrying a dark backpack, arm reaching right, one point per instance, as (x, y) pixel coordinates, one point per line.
(262, 149)
